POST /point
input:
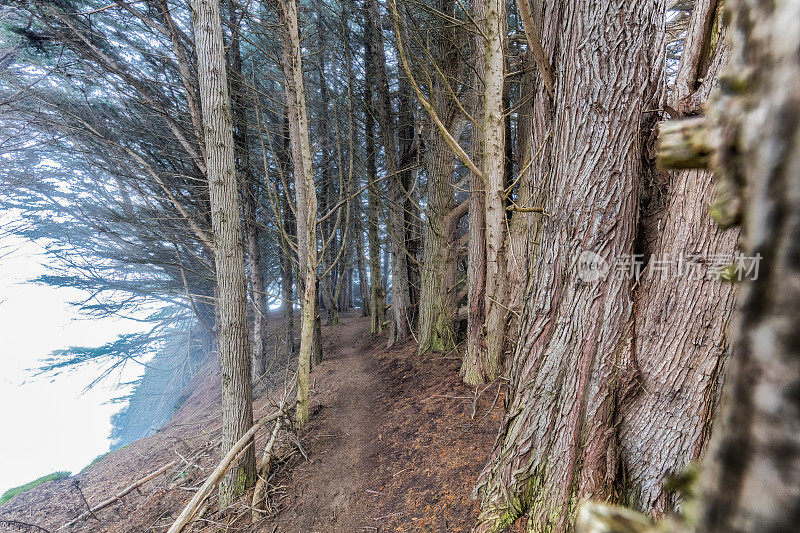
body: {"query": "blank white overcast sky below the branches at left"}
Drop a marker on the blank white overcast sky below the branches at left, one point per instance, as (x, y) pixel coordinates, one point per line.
(47, 424)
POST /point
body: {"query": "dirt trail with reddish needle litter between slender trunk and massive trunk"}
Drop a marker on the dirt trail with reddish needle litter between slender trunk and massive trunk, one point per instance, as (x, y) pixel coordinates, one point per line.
(395, 443)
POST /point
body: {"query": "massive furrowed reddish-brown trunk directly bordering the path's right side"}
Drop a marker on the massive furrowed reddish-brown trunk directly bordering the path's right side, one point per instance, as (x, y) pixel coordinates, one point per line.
(572, 365)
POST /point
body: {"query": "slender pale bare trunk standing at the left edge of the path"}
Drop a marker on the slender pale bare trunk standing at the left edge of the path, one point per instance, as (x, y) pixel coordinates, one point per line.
(306, 196)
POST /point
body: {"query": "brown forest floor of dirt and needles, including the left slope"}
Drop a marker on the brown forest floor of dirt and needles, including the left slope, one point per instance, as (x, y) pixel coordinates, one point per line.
(395, 443)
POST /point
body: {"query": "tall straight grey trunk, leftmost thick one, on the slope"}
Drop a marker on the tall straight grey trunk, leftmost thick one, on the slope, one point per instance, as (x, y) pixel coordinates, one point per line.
(234, 349)
